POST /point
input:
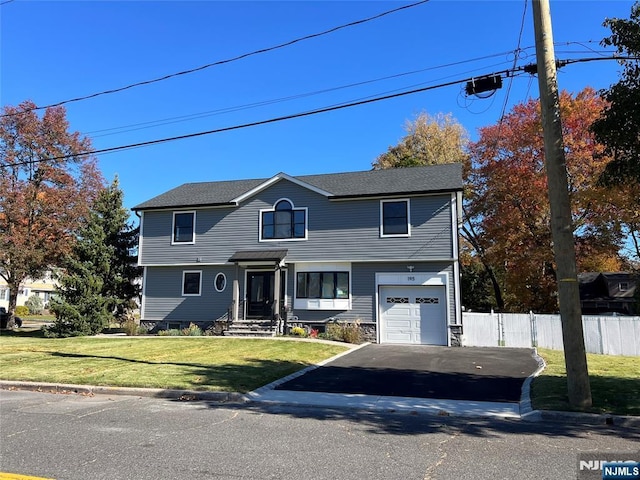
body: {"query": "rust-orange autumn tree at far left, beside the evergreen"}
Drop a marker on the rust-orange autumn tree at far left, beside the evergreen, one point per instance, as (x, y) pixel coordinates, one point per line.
(47, 183)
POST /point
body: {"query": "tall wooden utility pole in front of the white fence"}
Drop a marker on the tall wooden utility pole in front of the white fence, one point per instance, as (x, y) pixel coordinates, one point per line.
(575, 356)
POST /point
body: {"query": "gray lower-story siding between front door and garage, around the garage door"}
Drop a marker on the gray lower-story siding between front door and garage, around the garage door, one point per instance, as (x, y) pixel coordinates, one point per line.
(363, 291)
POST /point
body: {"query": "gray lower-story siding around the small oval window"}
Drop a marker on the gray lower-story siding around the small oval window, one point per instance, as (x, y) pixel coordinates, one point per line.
(164, 301)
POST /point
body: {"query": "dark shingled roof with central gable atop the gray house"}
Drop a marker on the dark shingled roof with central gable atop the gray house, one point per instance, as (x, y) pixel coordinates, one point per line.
(397, 181)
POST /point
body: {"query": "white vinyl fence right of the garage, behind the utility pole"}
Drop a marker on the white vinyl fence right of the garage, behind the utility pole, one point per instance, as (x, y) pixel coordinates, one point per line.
(602, 334)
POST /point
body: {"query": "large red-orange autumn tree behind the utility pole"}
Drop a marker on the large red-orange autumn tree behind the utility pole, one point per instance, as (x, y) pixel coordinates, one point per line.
(508, 209)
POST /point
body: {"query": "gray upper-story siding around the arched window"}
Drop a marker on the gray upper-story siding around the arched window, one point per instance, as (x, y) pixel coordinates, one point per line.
(337, 230)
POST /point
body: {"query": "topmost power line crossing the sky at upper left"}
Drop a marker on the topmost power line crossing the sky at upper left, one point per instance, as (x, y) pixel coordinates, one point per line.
(229, 60)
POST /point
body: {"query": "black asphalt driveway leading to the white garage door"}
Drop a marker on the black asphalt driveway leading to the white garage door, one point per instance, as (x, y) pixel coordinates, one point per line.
(420, 371)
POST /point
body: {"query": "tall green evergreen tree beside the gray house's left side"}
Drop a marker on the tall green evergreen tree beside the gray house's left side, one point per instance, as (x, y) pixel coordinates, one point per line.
(97, 285)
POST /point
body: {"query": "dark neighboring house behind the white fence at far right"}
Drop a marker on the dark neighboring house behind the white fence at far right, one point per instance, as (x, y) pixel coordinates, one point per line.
(609, 292)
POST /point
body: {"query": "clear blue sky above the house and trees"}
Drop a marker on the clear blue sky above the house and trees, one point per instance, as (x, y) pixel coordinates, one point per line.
(53, 51)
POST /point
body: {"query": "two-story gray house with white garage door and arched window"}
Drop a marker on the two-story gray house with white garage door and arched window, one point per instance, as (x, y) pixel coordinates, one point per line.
(379, 247)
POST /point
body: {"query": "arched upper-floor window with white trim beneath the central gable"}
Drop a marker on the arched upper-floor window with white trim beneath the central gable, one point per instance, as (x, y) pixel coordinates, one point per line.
(283, 222)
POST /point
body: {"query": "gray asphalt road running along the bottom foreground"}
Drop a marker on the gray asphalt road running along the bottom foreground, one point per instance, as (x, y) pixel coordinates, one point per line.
(74, 437)
